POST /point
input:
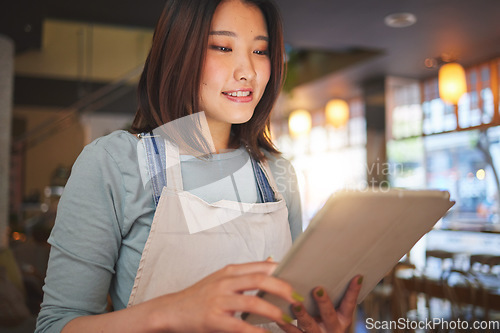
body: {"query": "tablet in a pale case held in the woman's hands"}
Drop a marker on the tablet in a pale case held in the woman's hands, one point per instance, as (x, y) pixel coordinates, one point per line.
(356, 232)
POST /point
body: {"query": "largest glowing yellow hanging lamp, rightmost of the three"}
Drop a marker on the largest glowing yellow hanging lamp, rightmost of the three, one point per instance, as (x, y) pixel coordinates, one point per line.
(452, 83)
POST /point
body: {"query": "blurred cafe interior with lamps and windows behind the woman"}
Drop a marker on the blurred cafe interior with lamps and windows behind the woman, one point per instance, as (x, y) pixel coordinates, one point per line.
(379, 94)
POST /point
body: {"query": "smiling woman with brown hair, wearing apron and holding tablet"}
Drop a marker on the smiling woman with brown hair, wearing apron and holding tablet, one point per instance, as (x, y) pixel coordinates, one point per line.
(179, 258)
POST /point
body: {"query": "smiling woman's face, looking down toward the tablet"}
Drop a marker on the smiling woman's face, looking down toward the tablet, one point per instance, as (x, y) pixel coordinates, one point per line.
(237, 65)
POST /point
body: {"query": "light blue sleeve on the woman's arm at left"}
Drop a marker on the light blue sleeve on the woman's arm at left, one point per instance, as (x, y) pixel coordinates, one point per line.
(85, 241)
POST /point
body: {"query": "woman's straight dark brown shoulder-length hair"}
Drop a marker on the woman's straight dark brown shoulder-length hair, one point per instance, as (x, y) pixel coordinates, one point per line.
(169, 86)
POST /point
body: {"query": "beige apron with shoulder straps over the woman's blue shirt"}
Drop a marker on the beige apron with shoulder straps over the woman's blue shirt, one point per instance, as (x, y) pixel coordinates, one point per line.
(190, 238)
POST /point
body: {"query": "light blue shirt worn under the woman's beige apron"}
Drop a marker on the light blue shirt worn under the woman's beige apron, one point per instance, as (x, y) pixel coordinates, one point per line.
(105, 214)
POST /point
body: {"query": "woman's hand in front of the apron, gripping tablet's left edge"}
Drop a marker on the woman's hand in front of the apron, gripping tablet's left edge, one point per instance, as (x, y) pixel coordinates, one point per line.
(210, 304)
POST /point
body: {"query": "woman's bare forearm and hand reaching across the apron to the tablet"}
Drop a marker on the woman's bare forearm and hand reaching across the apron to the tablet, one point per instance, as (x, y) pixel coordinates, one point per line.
(207, 306)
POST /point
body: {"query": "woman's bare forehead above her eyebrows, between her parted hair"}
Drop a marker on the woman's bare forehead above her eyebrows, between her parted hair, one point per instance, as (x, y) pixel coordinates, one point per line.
(238, 16)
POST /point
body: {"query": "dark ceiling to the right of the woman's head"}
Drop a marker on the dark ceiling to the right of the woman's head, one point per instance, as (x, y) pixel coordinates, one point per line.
(468, 30)
